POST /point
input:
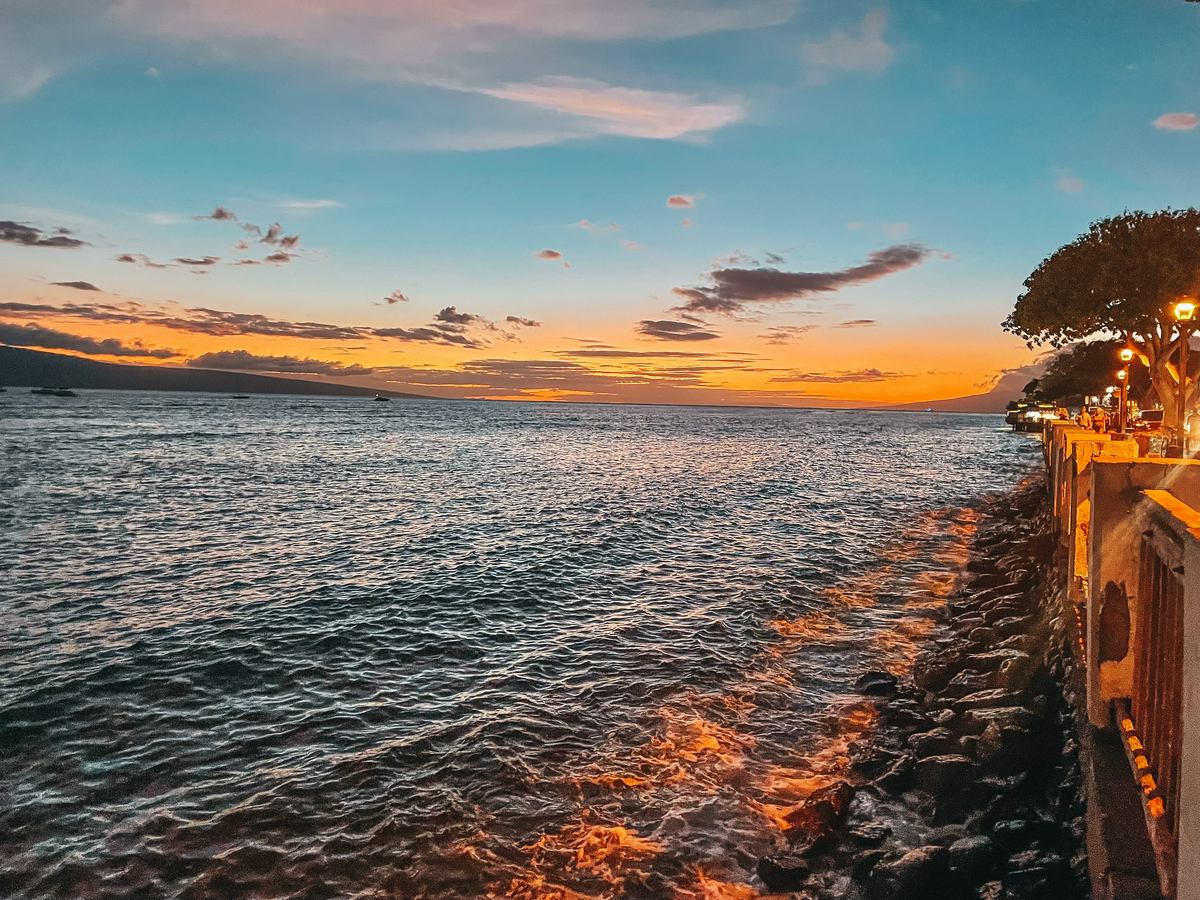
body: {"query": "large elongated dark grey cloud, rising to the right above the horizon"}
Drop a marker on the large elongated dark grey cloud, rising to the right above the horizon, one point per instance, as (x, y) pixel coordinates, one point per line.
(733, 289)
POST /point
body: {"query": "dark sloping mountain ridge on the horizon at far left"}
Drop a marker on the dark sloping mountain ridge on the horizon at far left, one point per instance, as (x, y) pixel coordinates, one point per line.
(34, 369)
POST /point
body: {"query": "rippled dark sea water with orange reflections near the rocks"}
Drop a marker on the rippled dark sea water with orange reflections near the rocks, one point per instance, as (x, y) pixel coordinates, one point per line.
(308, 647)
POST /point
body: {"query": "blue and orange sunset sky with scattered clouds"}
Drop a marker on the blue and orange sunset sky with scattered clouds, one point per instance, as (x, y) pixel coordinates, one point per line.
(778, 203)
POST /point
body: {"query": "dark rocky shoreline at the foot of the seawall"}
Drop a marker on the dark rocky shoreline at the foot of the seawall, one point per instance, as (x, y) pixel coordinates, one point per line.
(970, 787)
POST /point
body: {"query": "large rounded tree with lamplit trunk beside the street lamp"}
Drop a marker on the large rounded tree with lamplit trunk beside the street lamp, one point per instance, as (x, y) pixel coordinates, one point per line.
(1120, 279)
